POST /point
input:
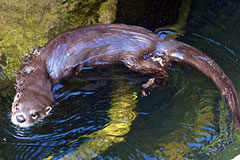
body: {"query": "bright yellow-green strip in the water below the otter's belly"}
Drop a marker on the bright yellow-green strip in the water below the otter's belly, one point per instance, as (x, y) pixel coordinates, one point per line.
(121, 116)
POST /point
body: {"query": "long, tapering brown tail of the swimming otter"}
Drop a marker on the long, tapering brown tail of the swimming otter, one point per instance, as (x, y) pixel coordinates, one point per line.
(181, 52)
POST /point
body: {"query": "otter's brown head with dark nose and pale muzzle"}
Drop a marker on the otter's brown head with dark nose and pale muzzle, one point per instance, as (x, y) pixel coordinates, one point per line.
(27, 108)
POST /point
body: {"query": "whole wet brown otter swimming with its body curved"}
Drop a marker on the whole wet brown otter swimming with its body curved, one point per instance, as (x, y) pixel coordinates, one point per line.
(105, 44)
